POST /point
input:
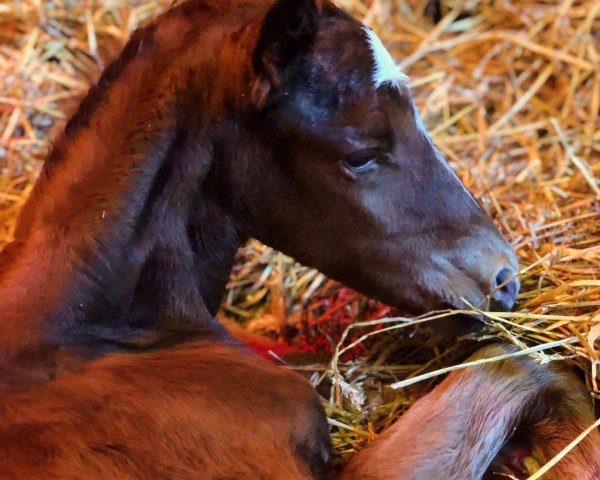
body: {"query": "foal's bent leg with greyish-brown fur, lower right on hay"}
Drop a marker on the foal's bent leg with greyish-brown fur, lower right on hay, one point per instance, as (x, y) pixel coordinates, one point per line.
(456, 431)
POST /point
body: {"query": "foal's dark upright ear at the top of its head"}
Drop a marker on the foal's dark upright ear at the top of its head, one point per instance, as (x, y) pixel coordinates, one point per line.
(287, 33)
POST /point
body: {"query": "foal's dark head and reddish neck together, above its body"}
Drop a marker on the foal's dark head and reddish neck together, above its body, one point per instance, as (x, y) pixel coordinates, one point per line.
(221, 121)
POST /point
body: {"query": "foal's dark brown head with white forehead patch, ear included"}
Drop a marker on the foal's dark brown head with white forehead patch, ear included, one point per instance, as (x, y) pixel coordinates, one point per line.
(351, 182)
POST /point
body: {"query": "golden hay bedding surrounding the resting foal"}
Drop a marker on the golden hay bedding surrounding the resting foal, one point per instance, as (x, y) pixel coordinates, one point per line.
(511, 94)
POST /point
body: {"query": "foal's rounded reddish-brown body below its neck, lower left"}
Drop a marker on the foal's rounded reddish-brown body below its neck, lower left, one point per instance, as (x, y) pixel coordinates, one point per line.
(200, 411)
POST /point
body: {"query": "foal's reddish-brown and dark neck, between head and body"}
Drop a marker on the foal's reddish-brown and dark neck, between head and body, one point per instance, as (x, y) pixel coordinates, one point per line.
(120, 245)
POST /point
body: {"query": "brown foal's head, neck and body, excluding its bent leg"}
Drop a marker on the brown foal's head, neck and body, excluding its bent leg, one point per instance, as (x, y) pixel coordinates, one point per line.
(286, 121)
